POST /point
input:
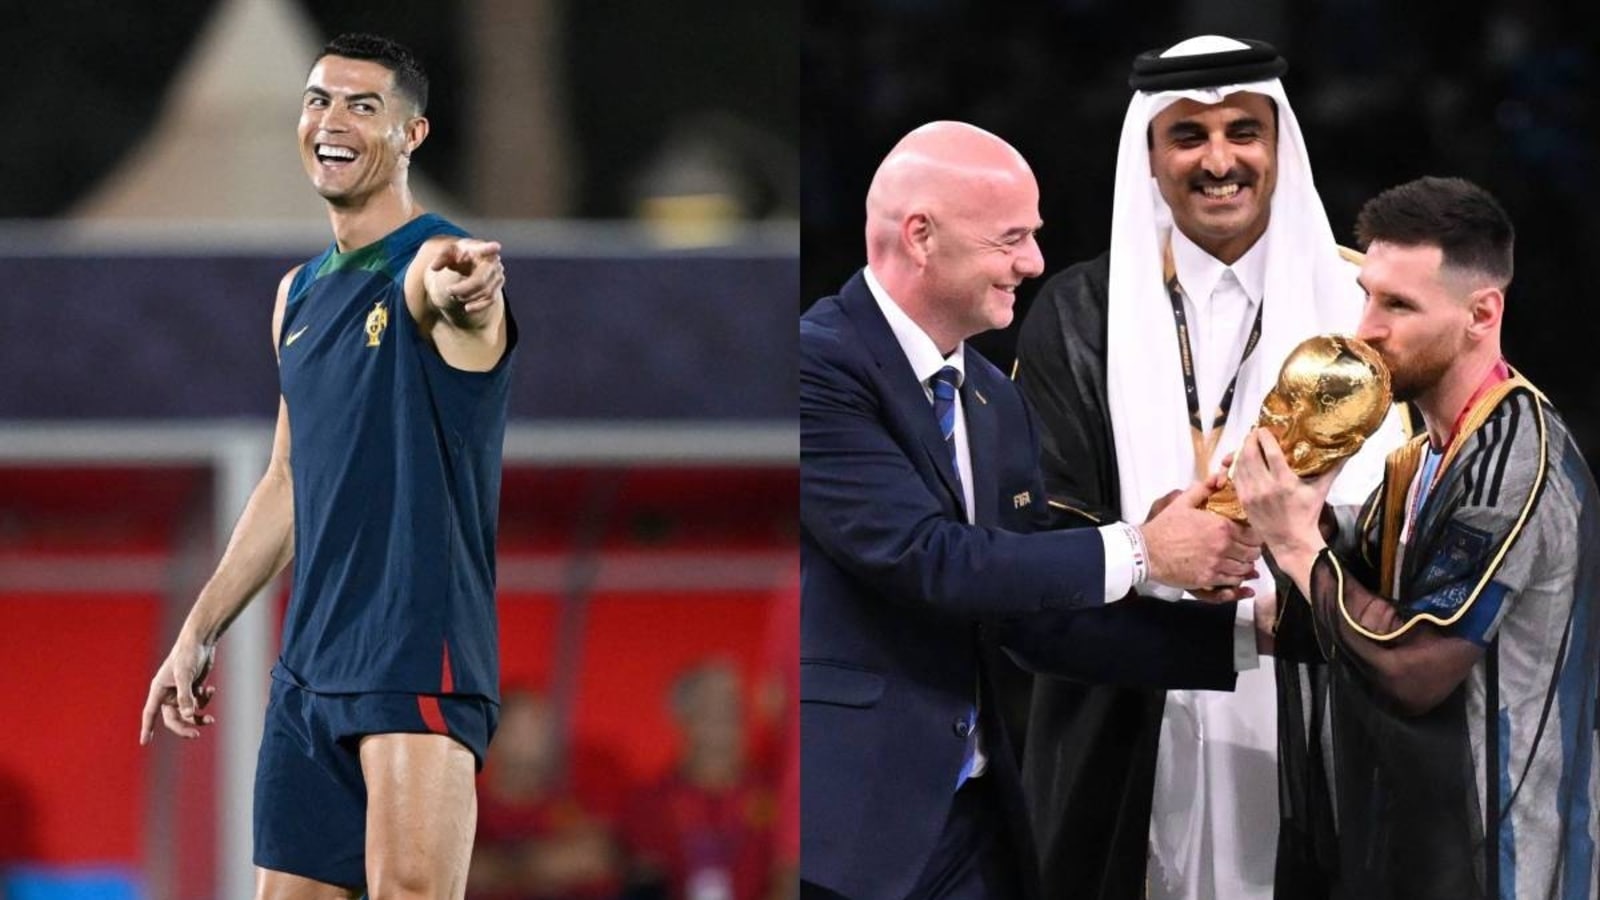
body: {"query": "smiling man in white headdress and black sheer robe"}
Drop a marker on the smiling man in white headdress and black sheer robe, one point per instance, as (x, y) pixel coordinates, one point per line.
(1146, 368)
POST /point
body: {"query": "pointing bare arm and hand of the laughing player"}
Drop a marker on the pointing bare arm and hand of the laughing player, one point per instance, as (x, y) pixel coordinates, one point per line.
(457, 295)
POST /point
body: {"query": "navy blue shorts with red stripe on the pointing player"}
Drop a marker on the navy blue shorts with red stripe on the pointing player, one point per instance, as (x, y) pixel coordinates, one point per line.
(311, 797)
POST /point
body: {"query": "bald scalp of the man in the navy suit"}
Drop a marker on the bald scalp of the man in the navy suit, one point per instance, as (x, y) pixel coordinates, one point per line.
(942, 169)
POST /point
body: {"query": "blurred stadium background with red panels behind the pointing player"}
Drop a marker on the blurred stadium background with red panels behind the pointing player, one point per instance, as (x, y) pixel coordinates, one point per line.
(639, 163)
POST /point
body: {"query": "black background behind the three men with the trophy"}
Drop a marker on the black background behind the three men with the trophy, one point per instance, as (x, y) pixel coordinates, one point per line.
(1500, 94)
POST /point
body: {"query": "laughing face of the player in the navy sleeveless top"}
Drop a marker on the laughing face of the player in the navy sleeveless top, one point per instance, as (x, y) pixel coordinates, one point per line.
(356, 131)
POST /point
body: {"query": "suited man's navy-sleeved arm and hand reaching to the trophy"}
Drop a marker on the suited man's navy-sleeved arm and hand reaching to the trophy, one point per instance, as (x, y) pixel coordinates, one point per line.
(866, 505)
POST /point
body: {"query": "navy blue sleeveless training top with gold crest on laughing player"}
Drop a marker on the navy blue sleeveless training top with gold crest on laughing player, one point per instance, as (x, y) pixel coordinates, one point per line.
(398, 468)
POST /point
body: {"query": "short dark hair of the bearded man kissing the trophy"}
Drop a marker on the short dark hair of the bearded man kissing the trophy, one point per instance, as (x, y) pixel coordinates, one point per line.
(1463, 220)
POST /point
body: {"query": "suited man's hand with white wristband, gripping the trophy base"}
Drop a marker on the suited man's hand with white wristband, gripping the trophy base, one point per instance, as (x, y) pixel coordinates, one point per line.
(1198, 550)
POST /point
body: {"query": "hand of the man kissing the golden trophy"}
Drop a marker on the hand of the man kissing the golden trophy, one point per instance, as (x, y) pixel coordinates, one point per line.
(1282, 507)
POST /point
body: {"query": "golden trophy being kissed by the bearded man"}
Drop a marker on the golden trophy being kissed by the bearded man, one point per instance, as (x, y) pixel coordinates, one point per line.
(1332, 396)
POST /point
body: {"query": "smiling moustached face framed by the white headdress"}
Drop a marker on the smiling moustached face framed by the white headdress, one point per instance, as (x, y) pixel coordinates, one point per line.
(1217, 169)
